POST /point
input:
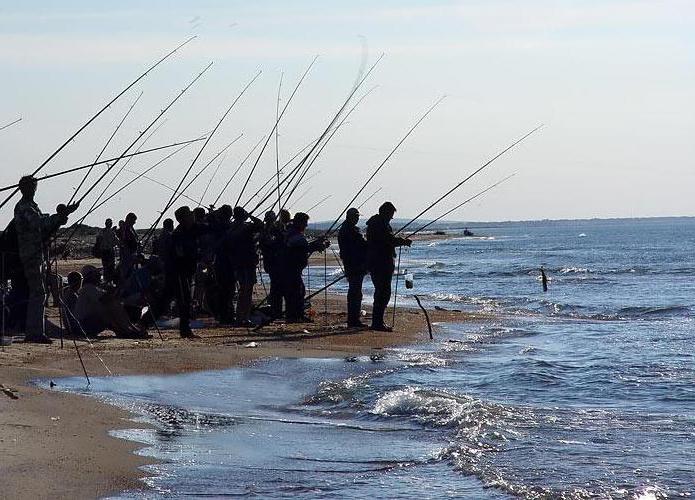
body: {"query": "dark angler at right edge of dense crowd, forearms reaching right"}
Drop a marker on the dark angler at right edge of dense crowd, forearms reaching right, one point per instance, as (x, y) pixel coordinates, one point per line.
(296, 259)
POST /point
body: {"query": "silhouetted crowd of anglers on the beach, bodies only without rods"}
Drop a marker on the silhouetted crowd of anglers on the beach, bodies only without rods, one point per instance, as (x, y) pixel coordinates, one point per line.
(206, 262)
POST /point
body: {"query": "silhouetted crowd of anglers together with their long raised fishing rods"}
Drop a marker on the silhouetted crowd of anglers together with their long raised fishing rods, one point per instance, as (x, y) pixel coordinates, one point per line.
(208, 260)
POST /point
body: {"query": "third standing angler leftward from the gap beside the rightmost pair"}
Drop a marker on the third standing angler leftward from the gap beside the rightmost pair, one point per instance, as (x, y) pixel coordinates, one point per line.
(241, 247)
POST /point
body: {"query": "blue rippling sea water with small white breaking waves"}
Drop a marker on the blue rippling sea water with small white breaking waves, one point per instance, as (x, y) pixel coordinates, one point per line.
(586, 391)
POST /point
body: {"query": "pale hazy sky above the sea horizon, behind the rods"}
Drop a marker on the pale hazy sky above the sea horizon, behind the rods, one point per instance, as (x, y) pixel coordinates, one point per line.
(613, 82)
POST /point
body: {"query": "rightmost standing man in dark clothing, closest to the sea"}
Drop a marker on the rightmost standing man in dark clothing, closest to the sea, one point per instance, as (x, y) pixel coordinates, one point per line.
(381, 245)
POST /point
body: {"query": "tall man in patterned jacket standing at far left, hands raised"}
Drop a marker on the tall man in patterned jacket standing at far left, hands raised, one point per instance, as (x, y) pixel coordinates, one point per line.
(34, 229)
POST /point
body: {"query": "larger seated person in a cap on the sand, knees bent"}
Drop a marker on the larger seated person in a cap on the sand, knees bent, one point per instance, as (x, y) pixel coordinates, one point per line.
(97, 310)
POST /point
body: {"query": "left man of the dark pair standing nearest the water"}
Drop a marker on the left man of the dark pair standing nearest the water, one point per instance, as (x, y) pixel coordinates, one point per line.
(353, 252)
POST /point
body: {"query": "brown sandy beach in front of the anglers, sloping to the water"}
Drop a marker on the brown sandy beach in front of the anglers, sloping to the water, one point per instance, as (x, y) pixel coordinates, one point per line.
(56, 445)
